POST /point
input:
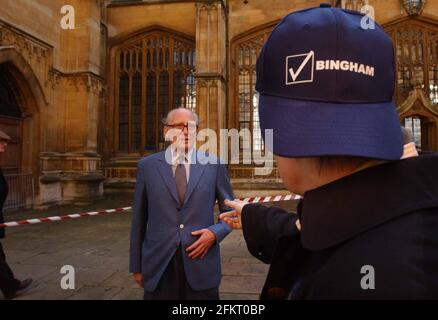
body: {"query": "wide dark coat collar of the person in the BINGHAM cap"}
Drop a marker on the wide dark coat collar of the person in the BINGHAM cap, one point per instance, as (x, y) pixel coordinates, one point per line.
(349, 206)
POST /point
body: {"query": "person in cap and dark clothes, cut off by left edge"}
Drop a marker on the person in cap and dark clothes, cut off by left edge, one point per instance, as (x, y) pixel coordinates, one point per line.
(9, 286)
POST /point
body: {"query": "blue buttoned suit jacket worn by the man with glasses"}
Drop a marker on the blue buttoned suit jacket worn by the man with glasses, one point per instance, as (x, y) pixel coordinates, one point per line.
(160, 224)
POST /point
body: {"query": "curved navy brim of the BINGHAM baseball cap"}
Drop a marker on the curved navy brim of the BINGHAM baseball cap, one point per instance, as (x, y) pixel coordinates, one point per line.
(311, 128)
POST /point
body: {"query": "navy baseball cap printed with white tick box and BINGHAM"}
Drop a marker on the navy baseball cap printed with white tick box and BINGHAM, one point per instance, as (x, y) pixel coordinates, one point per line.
(326, 86)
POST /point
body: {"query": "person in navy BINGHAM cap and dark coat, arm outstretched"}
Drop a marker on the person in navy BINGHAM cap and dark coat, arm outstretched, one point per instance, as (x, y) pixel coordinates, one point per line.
(366, 227)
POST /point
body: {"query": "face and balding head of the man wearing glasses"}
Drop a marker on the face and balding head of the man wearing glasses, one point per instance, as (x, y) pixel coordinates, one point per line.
(178, 129)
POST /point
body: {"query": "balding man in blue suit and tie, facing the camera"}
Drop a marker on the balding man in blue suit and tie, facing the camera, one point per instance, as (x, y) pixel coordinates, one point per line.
(174, 251)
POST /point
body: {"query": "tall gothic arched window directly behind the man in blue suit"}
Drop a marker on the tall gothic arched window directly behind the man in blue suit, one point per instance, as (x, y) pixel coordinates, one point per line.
(155, 73)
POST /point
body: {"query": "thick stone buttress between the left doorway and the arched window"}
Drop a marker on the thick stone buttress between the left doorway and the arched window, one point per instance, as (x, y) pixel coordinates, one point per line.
(71, 165)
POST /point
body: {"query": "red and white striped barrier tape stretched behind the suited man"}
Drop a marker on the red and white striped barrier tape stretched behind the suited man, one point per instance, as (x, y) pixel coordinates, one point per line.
(120, 210)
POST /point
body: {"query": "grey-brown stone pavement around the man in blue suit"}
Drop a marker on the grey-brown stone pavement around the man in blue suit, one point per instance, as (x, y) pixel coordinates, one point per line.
(97, 247)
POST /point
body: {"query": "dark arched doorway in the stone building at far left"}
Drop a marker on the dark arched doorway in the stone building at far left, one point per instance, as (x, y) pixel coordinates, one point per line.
(21, 97)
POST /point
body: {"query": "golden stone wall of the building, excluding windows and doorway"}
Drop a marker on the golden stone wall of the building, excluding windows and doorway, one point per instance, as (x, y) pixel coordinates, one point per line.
(66, 81)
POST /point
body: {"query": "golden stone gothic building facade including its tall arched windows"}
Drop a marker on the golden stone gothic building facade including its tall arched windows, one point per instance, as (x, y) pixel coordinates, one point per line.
(84, 104)
